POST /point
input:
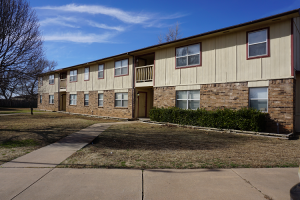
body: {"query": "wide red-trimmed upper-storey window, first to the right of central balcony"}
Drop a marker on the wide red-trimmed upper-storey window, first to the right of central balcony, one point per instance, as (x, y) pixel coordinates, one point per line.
(188, 56)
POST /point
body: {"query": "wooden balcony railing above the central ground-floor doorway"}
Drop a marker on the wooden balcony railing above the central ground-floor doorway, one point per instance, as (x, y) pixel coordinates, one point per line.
(144, 76)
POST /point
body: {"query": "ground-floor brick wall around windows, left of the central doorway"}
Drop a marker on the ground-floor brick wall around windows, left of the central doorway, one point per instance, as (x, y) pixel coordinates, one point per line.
(108, 108)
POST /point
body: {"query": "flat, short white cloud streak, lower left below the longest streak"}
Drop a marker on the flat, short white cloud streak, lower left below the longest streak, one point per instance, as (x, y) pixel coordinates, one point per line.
(79, 37)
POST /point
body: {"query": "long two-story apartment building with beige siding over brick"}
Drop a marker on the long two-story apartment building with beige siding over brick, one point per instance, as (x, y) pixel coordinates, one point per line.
(254, 64)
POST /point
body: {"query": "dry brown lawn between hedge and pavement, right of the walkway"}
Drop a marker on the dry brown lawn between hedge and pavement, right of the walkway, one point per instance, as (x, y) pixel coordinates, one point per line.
(146, 146)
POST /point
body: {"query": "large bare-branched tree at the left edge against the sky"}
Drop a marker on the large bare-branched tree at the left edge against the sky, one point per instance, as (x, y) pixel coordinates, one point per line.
(20, 43)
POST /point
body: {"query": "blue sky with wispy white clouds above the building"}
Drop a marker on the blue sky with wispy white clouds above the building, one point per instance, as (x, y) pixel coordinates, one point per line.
(77, 31)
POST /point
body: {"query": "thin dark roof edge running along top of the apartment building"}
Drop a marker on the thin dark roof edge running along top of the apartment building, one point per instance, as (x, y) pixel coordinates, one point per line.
(296, 11)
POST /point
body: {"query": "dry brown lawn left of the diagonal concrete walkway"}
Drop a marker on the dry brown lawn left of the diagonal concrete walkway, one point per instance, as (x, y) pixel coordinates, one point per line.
(21, 134)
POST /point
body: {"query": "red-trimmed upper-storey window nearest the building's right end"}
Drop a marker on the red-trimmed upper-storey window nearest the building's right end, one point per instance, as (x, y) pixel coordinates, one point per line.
(258, 43)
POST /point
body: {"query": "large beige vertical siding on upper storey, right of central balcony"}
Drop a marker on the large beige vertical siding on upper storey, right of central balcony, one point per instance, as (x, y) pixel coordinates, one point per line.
(224, 59)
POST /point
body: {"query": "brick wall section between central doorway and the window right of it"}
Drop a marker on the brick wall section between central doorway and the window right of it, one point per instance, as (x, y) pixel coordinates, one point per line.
(164, 97)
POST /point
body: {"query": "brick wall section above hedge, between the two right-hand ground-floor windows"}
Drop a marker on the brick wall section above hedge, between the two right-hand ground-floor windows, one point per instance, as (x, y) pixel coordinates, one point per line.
(229, 95)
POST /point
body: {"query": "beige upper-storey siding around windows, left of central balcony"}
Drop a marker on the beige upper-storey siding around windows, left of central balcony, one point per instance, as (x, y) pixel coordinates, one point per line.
(109, 81)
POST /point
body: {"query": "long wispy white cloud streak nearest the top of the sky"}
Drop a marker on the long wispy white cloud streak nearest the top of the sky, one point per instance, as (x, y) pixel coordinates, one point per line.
(126, 17)
